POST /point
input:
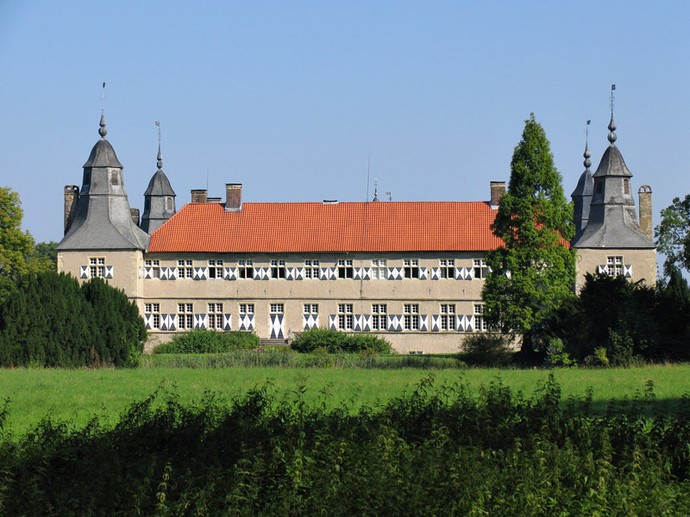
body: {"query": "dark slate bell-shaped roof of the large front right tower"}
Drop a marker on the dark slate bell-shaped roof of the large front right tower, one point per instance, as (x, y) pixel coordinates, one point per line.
(612, 219)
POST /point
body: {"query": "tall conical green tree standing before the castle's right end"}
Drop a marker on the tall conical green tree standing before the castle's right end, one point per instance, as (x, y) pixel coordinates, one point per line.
(534, 271)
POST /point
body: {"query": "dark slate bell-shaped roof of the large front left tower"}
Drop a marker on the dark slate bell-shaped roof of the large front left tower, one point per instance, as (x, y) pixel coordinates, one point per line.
(103, 219)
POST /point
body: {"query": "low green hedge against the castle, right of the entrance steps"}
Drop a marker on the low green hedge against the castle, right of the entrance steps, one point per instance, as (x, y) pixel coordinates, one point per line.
(334, 341)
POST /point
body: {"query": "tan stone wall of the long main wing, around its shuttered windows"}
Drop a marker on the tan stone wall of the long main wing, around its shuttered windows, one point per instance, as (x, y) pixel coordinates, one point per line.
(427, 293)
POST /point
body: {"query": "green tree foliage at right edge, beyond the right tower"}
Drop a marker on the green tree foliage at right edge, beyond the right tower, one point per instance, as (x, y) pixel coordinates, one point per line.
(673, 234)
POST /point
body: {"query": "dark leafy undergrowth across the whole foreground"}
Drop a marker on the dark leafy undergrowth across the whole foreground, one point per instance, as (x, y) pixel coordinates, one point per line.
(435, 451)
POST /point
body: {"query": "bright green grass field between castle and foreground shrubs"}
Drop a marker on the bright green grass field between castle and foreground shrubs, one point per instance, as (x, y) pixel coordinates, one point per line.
(76, 396)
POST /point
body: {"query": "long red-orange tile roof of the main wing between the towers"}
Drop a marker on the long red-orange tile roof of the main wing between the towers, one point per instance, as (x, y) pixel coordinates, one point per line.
(384, 226)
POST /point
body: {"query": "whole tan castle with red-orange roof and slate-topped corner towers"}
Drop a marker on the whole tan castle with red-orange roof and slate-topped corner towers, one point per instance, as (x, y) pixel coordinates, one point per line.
(412, 272)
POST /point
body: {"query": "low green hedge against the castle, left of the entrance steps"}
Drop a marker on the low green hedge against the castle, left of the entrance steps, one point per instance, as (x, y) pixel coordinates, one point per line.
(208, 342)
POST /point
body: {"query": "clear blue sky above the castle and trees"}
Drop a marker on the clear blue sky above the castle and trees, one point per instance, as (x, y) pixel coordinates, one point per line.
(294, 99)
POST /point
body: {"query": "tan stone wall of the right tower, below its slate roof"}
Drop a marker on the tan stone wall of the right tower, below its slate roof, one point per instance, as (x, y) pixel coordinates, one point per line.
(643, 263)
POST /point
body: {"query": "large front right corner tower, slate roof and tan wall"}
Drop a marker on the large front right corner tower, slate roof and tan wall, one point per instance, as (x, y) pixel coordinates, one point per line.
(612, 241)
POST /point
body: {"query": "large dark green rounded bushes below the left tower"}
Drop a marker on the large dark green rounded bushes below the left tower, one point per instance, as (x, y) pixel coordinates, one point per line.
(50, 320)
